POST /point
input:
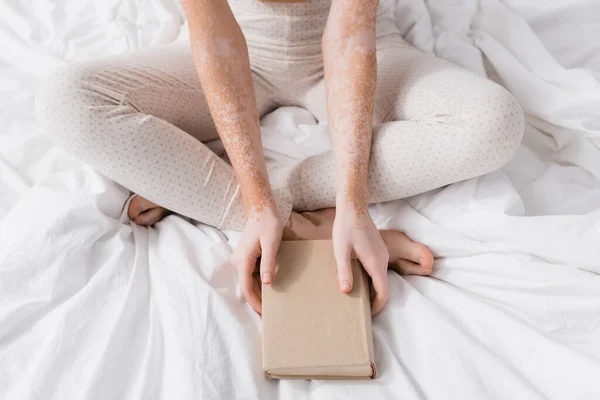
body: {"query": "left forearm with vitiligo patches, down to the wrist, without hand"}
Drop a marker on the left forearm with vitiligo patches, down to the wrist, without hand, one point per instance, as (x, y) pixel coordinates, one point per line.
(221, 58)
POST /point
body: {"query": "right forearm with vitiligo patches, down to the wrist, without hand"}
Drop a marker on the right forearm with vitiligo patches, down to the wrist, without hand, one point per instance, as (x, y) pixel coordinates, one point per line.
(350, 77)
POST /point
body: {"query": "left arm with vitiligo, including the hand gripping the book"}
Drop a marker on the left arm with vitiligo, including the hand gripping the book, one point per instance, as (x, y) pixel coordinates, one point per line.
(221, 57)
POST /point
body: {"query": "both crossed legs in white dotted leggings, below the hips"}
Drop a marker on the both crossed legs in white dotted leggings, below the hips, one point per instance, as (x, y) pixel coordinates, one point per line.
(141, 119)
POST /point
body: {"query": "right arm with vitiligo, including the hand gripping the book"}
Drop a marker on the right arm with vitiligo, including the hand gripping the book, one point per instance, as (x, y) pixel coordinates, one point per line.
(349, 48)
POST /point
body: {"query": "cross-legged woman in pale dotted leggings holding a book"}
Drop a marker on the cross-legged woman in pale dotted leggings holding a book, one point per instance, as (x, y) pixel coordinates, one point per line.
(401, 123)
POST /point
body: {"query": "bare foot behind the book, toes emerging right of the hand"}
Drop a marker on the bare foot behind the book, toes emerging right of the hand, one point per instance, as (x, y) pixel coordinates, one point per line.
(406, 257)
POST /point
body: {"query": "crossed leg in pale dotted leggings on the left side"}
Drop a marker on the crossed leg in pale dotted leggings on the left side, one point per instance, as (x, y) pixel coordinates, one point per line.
(140, 119)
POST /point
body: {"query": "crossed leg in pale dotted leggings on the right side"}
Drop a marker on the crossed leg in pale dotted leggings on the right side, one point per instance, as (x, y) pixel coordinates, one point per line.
(436, 124)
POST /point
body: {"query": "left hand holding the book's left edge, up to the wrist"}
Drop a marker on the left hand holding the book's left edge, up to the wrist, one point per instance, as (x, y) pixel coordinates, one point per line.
(260, 238)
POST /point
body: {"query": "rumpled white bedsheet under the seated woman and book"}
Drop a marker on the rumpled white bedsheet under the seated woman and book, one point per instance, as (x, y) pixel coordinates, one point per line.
(93, 308)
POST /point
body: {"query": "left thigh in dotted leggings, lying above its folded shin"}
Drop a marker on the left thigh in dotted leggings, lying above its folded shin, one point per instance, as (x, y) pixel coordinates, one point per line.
(161, 82)
